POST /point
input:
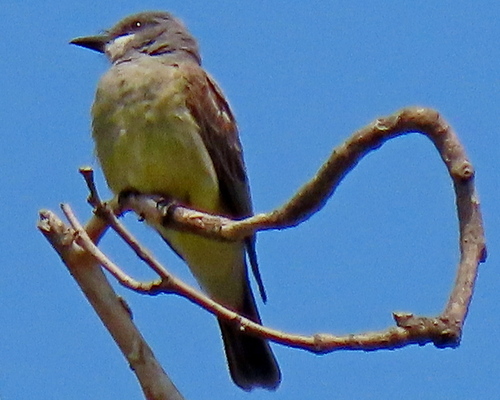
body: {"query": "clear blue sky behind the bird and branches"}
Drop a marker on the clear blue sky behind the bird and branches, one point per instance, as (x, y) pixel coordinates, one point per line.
(301, 77)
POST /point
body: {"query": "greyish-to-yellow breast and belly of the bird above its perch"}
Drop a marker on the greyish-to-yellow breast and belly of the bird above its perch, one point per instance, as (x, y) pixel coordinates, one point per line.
(147, 140)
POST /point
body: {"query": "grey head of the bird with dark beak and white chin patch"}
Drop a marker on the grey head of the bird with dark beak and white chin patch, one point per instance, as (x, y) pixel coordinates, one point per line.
(151, 33)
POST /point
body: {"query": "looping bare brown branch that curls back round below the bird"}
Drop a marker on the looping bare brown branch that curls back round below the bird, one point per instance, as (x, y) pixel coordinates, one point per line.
(444, 330)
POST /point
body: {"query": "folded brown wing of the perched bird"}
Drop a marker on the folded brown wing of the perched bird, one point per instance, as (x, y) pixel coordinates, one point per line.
(220, 135)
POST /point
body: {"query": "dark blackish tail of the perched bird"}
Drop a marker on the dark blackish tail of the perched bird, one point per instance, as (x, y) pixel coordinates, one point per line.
(250, 359)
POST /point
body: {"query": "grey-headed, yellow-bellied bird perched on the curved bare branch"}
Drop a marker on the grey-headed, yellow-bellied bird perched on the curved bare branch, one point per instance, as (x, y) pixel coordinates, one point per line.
(162, 126)
